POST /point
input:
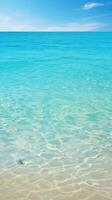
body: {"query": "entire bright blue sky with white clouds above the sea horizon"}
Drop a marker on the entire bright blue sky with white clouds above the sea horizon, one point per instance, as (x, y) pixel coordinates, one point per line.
(56, 15)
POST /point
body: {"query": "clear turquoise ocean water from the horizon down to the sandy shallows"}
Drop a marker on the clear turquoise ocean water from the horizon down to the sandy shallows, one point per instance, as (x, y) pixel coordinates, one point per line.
(56, 116)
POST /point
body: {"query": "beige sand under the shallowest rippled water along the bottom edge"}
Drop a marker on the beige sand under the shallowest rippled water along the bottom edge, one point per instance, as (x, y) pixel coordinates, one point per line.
(26, 185)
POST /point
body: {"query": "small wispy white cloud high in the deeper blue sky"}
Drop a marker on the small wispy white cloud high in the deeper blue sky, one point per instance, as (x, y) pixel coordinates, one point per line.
(91, 5)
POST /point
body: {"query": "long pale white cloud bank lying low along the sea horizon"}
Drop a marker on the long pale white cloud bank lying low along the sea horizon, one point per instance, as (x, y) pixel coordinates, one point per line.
(8, 23)
